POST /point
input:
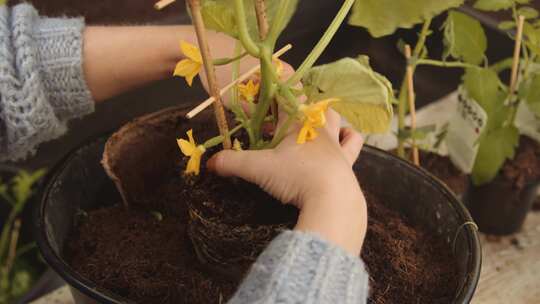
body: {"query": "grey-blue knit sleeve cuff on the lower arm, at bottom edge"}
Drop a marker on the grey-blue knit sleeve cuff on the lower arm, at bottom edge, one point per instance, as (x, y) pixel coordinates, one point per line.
(300, 267)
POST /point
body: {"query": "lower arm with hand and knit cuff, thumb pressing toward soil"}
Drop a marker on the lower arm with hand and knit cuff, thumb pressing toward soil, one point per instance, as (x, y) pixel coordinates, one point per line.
(319, 261)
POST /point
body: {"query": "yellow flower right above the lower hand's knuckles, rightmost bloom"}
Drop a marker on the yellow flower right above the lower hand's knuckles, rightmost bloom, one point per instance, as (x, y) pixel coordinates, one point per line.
(313, 117)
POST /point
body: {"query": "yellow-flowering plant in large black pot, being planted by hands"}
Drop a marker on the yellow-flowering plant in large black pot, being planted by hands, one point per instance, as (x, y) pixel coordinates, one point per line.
(117, 253)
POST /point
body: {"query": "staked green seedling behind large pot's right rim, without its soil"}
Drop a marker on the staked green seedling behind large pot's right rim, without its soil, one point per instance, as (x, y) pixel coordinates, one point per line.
(464, 41)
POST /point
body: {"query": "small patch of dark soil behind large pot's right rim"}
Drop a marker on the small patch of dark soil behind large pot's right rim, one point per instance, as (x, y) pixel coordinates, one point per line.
(443, 168)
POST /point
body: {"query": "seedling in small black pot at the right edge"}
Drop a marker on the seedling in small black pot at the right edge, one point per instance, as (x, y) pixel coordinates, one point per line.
(506, 170)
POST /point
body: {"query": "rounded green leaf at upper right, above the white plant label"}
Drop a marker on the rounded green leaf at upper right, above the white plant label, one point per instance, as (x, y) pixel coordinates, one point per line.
(464, 38)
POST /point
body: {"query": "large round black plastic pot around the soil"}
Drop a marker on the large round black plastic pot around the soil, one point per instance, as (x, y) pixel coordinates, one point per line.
(80, 182)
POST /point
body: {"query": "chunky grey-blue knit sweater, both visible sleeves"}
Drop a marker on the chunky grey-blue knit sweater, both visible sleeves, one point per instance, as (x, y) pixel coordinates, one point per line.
(42, 87)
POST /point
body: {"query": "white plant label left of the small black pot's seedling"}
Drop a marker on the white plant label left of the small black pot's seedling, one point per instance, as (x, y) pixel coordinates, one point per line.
(464, 130)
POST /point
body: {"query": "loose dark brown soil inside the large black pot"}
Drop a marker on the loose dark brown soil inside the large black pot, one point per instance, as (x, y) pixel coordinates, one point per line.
(137, 256)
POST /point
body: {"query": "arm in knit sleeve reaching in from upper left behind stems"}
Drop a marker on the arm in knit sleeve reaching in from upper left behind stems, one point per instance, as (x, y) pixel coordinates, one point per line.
(53, 69)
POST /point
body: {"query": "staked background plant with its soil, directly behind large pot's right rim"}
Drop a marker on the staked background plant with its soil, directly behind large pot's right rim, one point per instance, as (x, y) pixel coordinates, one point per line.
(464, 40)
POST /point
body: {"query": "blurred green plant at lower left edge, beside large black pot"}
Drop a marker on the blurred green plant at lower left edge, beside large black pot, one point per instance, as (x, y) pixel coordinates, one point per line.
(17, 267)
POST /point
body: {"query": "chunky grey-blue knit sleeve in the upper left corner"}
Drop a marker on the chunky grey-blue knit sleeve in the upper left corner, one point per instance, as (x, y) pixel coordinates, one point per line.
(41, 79)
